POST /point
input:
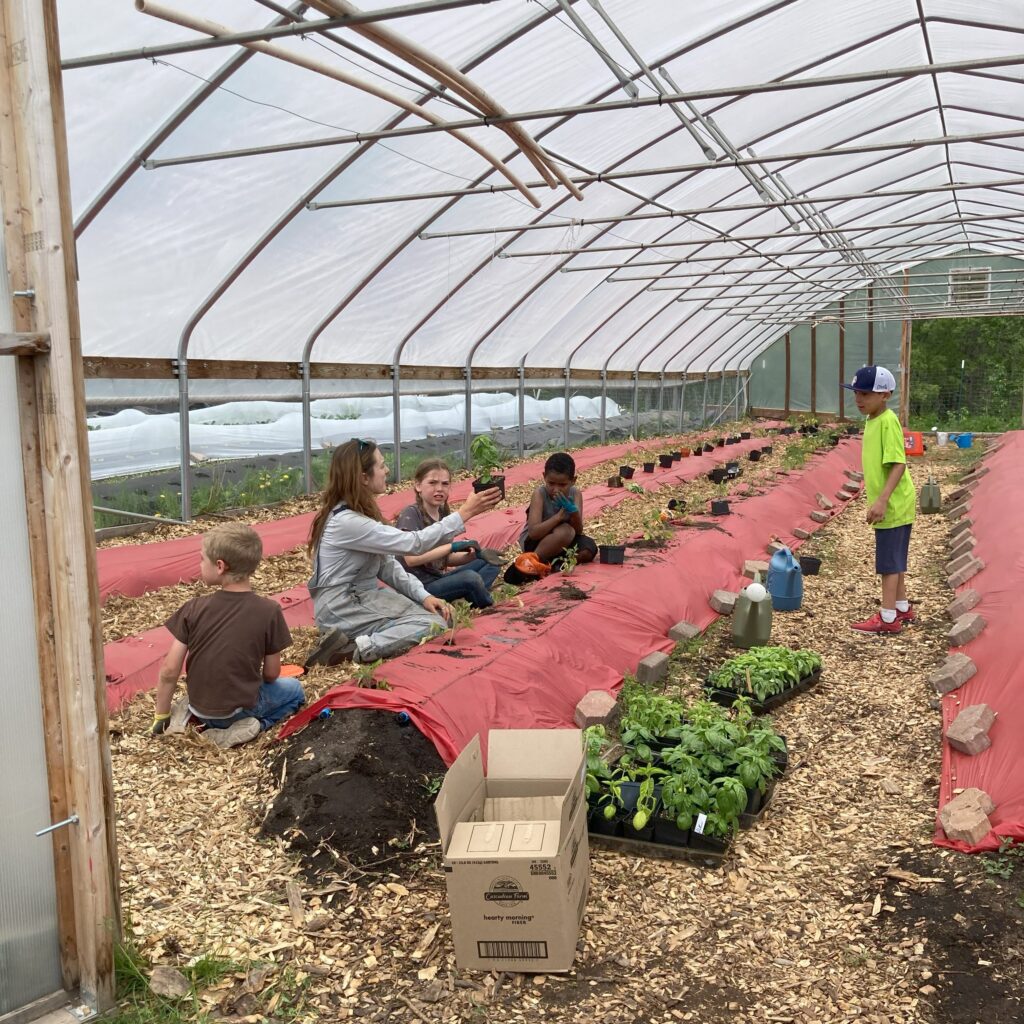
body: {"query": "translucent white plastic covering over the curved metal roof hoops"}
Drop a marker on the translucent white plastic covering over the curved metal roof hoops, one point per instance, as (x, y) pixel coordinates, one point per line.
(835, 137)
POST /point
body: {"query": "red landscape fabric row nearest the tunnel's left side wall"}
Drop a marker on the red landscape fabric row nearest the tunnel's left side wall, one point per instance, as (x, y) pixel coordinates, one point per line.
(134, 570)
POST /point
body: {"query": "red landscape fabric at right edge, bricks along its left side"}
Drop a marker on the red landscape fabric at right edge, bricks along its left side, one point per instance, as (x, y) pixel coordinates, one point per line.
(998, 653)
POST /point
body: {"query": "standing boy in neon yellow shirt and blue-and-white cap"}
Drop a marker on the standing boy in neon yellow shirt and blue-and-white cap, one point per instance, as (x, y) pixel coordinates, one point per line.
(891, 496)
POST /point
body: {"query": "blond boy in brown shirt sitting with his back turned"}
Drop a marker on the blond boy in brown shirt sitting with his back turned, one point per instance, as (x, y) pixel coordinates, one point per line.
(233, 639)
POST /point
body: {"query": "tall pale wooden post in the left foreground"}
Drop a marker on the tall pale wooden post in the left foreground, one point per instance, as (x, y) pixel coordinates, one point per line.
(36, 170)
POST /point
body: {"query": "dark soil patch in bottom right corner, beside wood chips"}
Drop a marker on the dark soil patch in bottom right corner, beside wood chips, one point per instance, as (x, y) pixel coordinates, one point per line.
(974, 943)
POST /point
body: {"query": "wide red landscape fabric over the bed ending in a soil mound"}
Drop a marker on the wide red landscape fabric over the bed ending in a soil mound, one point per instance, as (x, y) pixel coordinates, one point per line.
(528, 667)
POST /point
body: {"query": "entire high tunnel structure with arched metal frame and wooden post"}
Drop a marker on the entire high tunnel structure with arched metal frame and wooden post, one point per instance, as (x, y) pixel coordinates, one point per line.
(692, 208)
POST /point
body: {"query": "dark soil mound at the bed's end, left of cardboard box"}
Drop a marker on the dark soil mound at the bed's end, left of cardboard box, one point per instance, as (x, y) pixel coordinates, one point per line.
(362, 795)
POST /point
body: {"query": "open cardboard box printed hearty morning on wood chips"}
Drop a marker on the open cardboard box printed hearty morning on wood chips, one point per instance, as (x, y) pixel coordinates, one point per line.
(517, 859)
